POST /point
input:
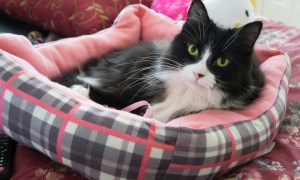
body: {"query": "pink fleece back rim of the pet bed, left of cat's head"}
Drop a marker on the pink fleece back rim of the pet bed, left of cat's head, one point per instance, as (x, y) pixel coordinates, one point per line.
(53, 58)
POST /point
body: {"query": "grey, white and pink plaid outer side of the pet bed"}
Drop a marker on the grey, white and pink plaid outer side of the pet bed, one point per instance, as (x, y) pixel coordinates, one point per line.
(101, 143)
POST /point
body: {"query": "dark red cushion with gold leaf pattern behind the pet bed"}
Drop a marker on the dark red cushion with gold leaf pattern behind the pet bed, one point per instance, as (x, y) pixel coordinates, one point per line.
(68, 17)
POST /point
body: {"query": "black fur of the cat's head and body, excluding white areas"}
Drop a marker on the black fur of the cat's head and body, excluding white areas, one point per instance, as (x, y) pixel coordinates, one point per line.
(124, 74)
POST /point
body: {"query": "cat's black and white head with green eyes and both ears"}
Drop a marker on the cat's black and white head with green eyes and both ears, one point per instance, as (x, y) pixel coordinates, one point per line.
(208, 56)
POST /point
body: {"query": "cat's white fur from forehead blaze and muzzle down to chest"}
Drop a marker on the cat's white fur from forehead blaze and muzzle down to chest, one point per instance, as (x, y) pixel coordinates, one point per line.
(186, 93)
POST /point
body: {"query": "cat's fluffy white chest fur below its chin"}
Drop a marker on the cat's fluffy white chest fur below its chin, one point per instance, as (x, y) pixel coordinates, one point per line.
(185, 98)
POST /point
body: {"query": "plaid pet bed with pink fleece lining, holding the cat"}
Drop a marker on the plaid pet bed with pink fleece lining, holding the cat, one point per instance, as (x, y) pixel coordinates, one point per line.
(104, 143)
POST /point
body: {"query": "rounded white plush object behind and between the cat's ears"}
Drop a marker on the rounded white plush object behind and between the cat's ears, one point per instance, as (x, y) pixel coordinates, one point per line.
(230, 13)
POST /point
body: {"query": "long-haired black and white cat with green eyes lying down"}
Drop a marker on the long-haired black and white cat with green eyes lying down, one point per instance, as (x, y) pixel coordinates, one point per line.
(204, 66)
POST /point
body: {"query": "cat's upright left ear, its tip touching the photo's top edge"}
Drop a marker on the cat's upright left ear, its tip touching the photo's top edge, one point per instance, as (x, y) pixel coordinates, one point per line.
(198, 12)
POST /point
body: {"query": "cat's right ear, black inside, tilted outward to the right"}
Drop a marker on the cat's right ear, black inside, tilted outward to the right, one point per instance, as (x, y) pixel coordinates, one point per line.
(249, 33)
